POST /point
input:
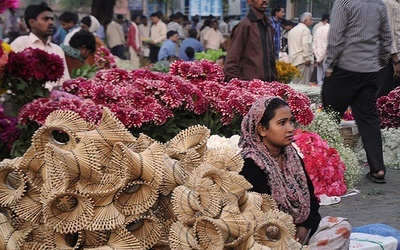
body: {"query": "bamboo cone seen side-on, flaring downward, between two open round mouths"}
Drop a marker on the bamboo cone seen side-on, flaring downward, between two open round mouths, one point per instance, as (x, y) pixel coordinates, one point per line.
(106, 216)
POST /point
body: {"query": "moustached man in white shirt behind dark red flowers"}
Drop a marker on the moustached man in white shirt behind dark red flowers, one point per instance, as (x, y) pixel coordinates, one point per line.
(40, 21)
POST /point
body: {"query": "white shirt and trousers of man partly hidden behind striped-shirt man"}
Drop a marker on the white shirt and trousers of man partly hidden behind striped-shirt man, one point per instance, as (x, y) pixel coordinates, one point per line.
(320, 42)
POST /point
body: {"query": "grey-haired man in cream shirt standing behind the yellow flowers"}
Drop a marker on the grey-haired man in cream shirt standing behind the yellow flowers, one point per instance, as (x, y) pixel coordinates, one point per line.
(300, 51)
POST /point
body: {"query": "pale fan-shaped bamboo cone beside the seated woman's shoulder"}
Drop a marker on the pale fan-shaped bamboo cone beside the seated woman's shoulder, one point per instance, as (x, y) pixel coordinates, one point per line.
(224, 158)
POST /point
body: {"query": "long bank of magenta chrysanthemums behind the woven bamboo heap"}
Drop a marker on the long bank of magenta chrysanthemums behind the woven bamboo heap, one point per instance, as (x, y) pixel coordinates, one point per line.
(191, 90)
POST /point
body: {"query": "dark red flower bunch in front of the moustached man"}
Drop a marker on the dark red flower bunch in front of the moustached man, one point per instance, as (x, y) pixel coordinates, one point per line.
(26, 74)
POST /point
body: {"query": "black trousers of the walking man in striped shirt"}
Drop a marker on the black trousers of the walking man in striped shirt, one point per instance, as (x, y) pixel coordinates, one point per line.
(358, 90)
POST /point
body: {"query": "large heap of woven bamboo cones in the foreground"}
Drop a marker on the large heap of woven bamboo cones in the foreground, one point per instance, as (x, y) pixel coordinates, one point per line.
(86, 186)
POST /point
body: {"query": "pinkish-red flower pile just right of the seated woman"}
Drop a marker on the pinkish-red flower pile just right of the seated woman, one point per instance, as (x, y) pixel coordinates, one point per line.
(323, 164)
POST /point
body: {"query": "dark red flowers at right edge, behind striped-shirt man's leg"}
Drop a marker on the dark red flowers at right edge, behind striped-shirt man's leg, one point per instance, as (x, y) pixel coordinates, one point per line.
(389, 109)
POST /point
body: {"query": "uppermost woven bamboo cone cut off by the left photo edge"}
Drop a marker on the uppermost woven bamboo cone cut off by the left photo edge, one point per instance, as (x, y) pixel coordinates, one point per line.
(12, 182)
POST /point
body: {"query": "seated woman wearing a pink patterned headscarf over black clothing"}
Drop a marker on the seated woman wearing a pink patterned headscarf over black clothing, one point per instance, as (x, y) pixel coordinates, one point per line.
(273, 166)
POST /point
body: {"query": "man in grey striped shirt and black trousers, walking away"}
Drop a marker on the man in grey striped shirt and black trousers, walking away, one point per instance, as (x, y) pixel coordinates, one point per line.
(357, 49)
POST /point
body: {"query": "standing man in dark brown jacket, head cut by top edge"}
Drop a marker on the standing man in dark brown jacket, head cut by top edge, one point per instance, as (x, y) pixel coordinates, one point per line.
(251, 54)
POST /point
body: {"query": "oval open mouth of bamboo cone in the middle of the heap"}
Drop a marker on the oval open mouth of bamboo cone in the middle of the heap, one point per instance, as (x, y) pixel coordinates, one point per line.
(136, 198)
